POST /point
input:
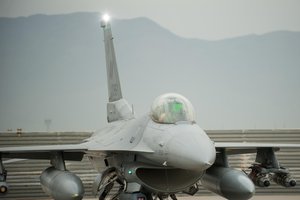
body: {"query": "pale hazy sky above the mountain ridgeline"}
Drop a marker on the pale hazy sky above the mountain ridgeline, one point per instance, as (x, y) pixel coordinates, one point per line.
(204, 19)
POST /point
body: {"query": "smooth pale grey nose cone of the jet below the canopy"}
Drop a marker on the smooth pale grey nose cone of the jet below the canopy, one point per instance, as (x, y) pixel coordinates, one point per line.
(190, 148)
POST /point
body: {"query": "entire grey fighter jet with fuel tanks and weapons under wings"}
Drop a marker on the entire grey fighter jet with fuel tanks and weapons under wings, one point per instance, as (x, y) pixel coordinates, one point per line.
(154, 156)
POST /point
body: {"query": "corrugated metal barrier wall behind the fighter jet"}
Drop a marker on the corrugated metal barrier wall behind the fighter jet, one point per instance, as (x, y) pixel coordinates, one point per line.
(24, 173)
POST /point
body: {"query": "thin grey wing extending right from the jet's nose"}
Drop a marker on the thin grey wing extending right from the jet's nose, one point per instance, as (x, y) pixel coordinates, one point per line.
(249, 147)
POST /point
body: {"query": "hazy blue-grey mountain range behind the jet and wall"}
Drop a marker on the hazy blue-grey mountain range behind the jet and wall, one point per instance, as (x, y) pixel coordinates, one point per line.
(53, 67)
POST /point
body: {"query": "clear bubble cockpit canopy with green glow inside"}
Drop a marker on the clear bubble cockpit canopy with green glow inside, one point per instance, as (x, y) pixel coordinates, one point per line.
(171, 108)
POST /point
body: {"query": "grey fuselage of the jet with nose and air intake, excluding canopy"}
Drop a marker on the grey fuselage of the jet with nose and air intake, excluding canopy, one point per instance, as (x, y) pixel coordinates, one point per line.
(175, 155)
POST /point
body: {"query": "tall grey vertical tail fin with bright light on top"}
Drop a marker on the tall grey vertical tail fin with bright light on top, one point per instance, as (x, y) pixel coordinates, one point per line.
(117, 107)
